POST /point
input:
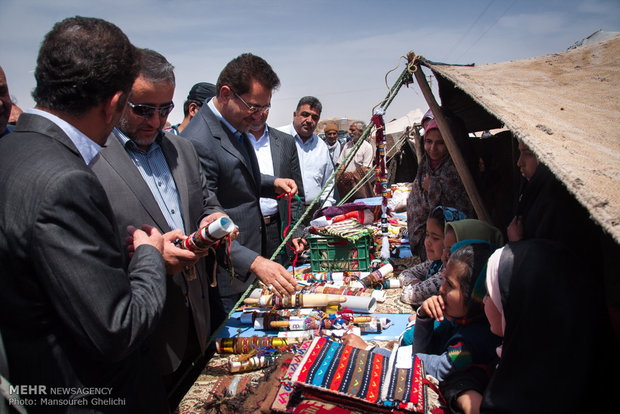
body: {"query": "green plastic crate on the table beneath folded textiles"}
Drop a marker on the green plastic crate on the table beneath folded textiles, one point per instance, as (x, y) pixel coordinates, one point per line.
(331, 253)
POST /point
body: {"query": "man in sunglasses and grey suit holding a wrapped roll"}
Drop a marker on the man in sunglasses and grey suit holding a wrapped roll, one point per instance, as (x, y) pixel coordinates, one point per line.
(155, 178)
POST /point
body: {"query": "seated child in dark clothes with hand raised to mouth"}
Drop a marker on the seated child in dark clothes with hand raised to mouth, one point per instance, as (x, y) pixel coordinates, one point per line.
(462, 338)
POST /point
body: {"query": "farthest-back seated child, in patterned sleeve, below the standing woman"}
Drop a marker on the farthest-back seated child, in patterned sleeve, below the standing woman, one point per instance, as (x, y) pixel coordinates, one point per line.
(423, 280)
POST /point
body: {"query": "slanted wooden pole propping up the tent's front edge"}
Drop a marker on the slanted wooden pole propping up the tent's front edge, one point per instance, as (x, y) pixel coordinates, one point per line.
(453, 149)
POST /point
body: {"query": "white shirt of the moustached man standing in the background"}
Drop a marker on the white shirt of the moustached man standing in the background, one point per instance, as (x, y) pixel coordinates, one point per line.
(315, 164)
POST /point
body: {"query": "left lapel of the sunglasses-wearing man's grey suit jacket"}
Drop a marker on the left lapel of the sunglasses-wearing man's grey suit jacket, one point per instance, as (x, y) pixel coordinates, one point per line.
(120, 161)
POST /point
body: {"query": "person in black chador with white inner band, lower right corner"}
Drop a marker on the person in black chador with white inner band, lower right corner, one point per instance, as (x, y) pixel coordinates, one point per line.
(557, 346)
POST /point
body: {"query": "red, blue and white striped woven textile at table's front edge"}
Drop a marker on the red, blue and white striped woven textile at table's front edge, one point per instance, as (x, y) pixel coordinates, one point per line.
(357, 378)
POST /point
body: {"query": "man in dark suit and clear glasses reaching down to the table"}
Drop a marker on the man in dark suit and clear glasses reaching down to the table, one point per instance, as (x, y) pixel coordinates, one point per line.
(218, 132)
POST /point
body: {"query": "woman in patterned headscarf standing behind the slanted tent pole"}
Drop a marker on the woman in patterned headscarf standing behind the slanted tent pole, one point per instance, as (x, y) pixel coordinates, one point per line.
(437, 182)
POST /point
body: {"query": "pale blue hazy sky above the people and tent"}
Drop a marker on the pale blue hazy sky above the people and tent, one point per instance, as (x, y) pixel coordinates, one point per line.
(338, 51)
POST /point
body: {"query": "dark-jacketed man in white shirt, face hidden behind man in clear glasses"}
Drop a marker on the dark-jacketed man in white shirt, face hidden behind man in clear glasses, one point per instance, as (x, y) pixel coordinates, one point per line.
(277, 155)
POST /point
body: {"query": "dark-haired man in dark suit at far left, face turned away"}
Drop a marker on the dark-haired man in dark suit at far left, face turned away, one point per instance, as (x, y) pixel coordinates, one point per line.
(73, 313)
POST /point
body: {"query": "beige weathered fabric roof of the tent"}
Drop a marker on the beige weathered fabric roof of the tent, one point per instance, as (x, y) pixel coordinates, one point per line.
(564, 106)
